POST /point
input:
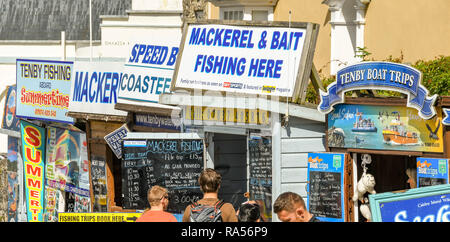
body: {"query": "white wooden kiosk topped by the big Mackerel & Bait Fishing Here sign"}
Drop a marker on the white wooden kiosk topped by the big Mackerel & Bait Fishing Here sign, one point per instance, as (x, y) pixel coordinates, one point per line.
(238, 95)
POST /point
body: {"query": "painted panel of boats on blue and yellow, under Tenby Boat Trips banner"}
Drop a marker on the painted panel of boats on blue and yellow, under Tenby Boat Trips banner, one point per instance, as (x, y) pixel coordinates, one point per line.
(383, 128)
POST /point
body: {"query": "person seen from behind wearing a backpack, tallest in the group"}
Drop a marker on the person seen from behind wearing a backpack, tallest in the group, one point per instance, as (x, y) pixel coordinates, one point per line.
(210, 208)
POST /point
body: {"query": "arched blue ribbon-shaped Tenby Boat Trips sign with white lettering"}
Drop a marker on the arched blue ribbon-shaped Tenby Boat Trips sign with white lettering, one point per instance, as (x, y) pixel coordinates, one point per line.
(380, 76)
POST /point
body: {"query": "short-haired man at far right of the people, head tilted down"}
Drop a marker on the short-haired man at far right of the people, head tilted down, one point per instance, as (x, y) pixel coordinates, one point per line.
(290, 207)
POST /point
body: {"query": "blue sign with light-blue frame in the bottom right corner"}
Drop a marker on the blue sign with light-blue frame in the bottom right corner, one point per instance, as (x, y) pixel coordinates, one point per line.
(427, 204)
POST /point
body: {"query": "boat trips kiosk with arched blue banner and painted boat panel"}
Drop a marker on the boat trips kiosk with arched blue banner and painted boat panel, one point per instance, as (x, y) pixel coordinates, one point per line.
(393, 144)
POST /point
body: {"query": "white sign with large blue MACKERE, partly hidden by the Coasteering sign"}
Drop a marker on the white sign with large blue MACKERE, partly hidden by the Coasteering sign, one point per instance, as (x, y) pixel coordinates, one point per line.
(95, 88)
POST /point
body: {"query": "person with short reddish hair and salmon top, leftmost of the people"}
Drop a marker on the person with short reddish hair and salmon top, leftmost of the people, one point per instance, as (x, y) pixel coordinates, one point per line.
(158, 198)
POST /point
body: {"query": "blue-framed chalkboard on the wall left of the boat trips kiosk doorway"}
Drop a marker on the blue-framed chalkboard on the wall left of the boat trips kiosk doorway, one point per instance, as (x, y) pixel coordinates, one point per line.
(326, 186)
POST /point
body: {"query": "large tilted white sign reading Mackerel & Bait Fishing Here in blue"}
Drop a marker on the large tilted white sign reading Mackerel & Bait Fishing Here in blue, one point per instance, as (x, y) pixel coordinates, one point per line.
(243, 59)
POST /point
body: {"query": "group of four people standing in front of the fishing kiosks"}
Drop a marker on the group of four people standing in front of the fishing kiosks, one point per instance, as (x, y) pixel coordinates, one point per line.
(289, 206)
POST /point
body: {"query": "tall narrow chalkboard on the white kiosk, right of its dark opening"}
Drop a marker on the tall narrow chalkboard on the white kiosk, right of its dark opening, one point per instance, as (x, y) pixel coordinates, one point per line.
(260, 169)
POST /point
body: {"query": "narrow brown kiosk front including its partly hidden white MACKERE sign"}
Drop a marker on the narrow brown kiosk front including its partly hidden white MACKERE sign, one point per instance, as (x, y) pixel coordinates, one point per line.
(94, 92)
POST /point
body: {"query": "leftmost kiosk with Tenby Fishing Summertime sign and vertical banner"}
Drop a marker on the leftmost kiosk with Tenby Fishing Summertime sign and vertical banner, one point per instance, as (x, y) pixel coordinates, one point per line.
(47, 152)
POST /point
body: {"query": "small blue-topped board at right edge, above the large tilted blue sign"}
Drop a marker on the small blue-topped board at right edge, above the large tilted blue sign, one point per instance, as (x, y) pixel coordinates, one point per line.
(432, 171)
